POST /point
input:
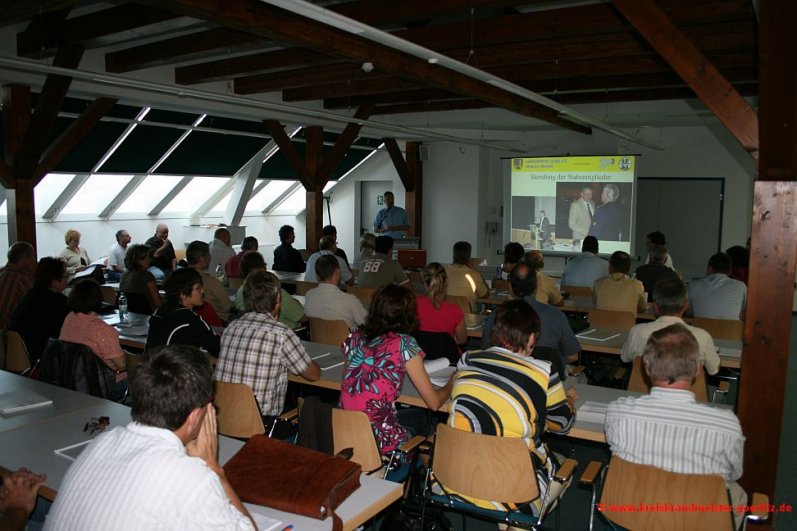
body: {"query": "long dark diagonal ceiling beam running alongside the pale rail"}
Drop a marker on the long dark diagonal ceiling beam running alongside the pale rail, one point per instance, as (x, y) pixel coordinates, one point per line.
(272, 23)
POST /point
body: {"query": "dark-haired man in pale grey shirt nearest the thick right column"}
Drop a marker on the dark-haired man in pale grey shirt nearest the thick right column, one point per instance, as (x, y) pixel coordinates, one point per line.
(717, 296)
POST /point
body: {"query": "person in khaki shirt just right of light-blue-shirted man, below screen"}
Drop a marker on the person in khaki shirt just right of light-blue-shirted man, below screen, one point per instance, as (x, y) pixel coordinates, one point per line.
(618, 291)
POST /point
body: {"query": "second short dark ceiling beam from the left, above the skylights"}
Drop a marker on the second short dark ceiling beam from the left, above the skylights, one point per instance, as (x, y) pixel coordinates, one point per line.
(187, 48)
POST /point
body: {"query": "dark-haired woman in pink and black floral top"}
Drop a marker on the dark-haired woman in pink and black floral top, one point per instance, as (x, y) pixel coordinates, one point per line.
(377, 357)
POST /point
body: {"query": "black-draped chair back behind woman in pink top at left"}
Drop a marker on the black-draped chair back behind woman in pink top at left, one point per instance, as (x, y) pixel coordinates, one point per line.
(76, 367)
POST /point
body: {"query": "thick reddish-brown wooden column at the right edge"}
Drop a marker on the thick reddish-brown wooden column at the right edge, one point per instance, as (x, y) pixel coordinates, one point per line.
(773, 253)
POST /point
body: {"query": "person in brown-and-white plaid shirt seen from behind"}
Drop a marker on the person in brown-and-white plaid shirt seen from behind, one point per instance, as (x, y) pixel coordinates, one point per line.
(259, 351)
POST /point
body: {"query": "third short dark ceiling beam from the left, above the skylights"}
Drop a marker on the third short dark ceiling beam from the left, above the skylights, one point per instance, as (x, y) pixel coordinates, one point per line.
(252, 64)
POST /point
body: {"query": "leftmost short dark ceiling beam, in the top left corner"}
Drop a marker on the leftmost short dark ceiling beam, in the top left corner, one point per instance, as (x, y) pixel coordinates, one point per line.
(100, 28)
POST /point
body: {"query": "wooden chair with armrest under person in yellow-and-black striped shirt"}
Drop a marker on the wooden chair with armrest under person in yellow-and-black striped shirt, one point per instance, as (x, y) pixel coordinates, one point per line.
(489, 467)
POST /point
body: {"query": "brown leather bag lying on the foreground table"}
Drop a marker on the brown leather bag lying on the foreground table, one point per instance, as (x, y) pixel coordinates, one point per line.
(290, 478)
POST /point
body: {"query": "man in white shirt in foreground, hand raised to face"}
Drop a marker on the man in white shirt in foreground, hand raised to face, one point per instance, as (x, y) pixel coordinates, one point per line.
(159, 471)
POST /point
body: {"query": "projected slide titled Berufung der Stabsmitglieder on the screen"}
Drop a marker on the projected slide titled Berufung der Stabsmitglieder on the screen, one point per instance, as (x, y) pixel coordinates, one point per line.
(558, 201)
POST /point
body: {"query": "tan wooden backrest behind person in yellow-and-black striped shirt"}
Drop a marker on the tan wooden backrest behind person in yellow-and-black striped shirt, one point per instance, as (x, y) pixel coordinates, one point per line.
(486, 467)
